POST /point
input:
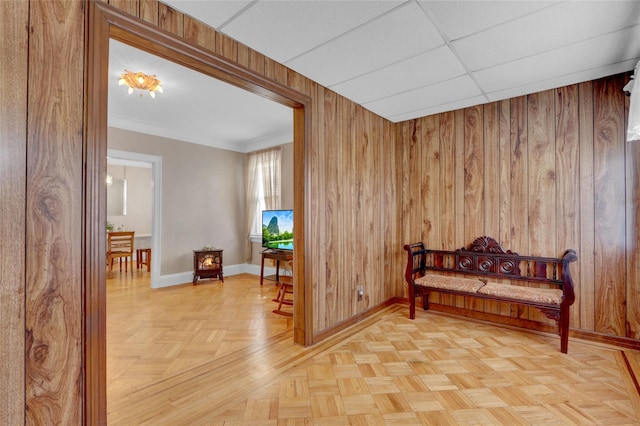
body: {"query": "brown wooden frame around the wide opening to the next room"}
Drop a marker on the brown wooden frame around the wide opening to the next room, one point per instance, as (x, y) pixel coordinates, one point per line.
(106, 22)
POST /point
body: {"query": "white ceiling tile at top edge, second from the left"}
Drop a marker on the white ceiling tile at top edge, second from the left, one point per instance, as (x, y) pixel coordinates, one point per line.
(284, 29)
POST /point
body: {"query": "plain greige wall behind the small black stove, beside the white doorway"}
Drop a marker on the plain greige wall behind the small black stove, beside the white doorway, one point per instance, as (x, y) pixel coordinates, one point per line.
(202, 197)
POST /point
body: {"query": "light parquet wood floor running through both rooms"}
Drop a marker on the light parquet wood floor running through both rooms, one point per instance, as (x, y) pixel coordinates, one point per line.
(182, 369)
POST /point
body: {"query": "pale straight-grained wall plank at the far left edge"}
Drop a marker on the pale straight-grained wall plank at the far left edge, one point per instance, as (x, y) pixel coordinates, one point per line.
(14, 21)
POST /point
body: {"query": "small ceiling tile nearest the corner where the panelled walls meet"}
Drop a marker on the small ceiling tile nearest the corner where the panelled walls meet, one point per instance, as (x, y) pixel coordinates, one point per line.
(425, 97)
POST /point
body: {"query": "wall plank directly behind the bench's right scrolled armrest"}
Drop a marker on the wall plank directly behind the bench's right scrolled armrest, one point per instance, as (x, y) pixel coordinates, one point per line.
(568, 176)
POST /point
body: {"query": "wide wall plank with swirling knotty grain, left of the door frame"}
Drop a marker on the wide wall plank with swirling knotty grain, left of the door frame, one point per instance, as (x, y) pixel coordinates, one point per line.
(54, 325)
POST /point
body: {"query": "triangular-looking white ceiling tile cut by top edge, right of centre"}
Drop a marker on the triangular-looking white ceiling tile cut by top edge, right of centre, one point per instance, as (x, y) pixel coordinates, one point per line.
(461, 18)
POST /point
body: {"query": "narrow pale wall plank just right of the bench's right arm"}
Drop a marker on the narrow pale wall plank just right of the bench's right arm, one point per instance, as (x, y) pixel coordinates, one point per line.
(585, 288)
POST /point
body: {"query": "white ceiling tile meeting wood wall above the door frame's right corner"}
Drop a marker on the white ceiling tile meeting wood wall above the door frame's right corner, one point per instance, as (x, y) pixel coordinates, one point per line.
(398, 35)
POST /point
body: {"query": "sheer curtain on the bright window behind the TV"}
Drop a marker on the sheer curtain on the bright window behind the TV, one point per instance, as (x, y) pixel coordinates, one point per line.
(263, 188)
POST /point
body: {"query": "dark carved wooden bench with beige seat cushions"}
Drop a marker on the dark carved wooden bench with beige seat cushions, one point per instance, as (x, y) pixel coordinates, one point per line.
(549, 287)
